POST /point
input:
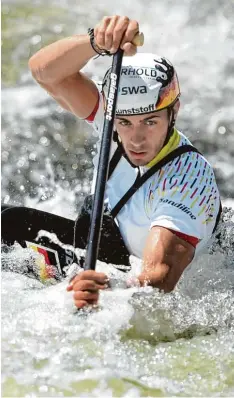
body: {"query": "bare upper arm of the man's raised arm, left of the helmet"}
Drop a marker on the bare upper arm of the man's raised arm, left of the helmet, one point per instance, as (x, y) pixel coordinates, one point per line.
(77, 94)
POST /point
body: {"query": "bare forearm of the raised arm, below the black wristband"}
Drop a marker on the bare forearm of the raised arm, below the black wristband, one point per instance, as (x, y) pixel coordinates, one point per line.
(61, 59)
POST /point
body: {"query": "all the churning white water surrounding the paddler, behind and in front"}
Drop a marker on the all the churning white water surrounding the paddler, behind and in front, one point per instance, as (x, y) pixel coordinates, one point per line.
(137, 342)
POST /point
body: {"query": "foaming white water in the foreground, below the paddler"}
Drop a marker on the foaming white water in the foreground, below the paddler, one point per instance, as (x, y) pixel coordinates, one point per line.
(137, 343)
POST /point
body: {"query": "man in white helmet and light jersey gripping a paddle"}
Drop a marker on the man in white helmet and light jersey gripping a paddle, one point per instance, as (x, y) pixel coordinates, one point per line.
(173, 214)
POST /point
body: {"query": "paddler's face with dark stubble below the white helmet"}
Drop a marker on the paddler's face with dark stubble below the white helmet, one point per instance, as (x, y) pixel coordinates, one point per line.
(142, 136)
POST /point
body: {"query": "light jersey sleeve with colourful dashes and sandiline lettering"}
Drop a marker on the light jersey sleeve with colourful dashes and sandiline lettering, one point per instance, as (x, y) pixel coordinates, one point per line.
(187, 197)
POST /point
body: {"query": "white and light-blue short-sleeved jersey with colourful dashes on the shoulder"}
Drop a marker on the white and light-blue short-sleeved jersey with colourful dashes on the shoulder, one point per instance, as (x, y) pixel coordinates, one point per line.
(182, 196)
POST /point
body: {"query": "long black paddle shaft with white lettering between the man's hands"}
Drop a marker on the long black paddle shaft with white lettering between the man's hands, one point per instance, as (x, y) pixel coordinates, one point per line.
(103, 165)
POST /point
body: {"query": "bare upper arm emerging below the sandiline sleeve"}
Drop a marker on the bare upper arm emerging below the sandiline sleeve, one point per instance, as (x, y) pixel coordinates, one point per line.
(167, 255)
